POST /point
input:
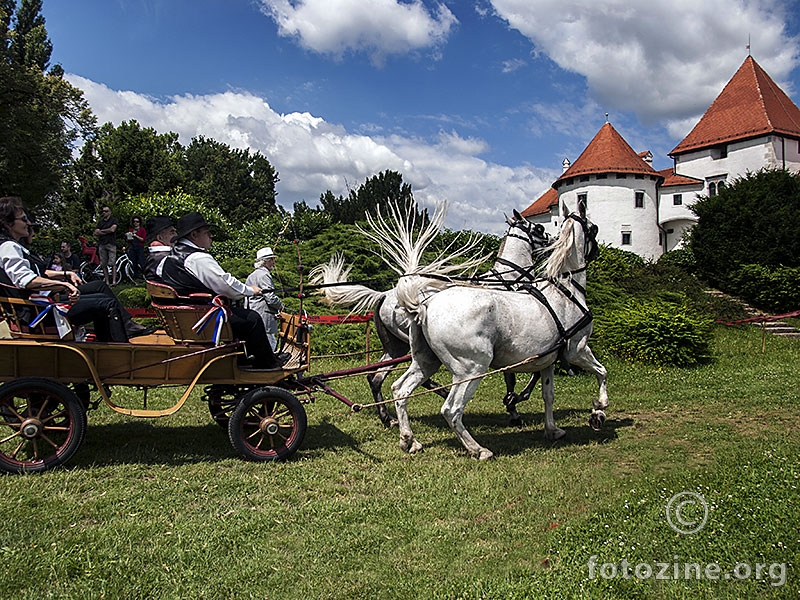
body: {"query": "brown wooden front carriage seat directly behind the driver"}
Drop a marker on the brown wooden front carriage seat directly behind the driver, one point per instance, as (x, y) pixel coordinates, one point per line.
(178, 314)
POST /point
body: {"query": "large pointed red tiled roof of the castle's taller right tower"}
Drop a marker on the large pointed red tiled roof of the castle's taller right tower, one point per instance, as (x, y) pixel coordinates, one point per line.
(749, 106)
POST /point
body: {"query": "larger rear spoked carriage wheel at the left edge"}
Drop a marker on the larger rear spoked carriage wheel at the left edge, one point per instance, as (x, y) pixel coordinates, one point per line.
(42, 425)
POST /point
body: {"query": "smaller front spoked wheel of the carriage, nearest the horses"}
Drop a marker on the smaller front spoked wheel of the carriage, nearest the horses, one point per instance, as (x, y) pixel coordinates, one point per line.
(268, 424)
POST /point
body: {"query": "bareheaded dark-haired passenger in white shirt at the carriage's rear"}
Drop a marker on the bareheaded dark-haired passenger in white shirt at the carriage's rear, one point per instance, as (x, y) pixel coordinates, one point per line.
(23, 272)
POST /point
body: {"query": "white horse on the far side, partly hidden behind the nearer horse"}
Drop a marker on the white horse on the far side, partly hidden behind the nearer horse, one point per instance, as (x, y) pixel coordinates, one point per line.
(519, 254)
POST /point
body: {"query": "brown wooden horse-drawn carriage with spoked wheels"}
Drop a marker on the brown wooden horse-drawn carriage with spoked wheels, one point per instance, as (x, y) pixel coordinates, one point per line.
(48, 380)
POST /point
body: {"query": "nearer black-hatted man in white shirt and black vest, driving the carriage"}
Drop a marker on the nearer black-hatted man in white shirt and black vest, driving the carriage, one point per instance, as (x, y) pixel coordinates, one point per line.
(189, 268)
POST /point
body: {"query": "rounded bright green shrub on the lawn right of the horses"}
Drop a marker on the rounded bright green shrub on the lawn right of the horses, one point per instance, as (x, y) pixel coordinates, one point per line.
(658, 332)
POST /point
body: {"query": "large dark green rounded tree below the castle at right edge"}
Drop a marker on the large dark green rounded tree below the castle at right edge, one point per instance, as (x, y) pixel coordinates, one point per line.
(753, 221)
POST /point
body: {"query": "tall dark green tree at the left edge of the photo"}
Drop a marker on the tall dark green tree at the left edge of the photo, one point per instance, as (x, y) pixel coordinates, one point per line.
(41, 114)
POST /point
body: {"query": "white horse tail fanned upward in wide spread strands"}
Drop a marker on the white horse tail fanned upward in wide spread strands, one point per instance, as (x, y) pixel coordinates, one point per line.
(402, 245)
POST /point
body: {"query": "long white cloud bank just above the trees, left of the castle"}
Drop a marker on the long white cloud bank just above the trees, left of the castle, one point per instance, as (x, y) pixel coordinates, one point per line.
(313, 156)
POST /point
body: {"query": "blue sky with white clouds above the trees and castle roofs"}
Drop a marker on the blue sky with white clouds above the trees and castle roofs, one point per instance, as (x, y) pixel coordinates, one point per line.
(475, 102)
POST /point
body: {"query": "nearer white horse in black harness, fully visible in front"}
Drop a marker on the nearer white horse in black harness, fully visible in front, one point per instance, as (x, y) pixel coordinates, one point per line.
(472, 329)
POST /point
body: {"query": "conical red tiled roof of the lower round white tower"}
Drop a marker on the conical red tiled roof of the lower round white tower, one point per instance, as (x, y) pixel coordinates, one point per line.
(608, 152)
